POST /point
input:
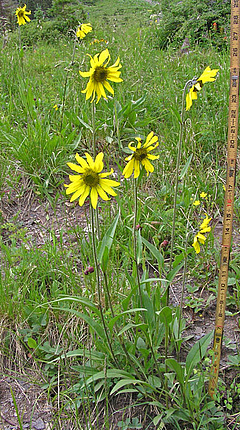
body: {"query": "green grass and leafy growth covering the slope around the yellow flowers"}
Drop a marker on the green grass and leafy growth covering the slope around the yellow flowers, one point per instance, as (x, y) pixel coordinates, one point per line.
(111, 337)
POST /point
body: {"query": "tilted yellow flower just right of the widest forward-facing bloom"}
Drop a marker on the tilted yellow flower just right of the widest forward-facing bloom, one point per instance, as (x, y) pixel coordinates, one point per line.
(141, 155)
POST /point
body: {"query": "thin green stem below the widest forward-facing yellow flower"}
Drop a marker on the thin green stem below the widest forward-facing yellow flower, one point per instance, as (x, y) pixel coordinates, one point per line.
(98, 285)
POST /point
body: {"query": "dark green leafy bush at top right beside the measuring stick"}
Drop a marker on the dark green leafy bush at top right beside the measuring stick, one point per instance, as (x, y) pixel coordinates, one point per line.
(203, 22)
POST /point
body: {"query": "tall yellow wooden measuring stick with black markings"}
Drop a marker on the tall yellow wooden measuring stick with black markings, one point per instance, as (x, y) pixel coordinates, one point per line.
(229, 193)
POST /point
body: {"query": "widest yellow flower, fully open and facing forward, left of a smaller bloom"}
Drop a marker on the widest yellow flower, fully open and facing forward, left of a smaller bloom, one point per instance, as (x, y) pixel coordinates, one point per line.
(90, 180)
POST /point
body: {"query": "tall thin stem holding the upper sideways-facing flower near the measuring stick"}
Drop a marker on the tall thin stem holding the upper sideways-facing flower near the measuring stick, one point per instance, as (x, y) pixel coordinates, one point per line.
(177, 180)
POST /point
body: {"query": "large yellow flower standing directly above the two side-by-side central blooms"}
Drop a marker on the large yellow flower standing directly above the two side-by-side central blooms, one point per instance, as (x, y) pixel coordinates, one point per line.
(99, 74)
